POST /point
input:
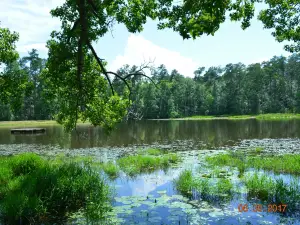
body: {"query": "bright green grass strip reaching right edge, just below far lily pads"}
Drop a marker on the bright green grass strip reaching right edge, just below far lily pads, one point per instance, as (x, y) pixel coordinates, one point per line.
(279, 164)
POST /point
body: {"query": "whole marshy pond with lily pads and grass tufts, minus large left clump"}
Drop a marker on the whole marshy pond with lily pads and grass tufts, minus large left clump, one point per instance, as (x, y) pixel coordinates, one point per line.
(184, 172)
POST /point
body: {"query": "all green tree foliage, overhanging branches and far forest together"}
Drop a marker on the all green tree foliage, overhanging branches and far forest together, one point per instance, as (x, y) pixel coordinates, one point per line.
(76, 81)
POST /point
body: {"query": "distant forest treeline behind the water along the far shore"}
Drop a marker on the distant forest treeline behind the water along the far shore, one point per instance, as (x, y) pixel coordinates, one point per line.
(236, 89)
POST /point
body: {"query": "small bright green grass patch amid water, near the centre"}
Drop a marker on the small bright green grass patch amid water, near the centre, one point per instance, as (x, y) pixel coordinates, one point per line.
(136, 164)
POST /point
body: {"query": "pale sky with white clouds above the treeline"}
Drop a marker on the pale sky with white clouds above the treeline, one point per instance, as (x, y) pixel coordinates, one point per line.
(32, 20)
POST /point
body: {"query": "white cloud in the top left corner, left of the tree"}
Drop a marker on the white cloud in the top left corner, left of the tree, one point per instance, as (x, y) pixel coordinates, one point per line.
(31, 19)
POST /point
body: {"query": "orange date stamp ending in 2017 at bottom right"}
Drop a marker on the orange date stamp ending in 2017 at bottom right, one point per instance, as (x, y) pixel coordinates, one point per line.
(271, 208)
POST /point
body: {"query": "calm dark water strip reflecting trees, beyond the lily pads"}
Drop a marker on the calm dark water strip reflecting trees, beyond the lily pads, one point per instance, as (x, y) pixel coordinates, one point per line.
(211, 134)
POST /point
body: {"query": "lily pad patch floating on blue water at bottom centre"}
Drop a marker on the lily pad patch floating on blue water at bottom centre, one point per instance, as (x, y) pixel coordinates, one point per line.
(146, 210)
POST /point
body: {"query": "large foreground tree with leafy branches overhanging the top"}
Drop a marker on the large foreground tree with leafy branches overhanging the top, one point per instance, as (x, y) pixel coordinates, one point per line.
(73, 69)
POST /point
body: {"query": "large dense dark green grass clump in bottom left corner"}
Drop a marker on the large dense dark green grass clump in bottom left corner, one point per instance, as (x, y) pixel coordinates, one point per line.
(42, 191)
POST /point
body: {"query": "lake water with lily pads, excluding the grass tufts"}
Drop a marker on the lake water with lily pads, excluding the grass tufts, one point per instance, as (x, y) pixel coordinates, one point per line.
(152, 198)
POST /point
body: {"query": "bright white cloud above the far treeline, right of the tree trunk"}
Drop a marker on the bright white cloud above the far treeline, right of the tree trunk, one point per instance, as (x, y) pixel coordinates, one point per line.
(139, 50)
